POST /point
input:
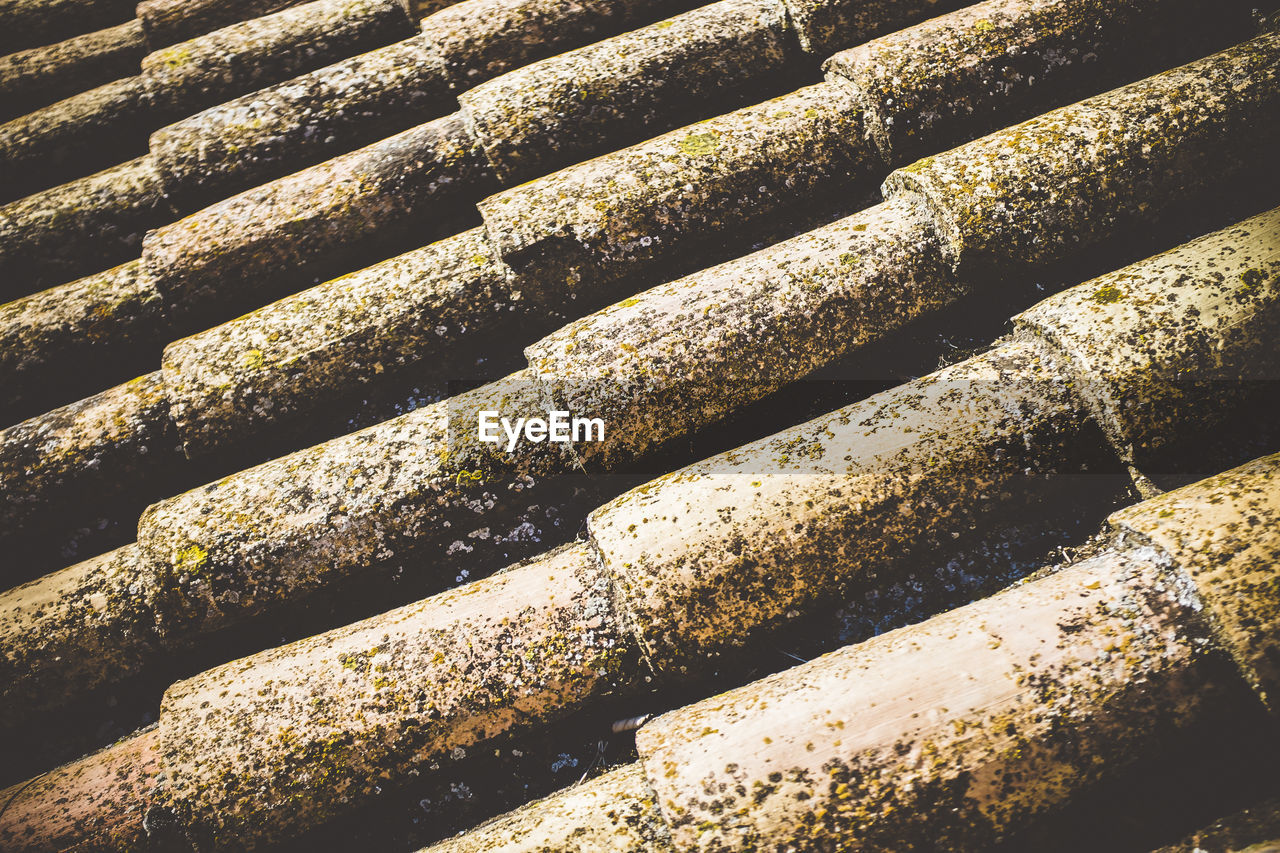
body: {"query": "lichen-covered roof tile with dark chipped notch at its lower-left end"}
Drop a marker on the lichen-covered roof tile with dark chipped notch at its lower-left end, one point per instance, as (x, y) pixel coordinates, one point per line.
(618, 215)
